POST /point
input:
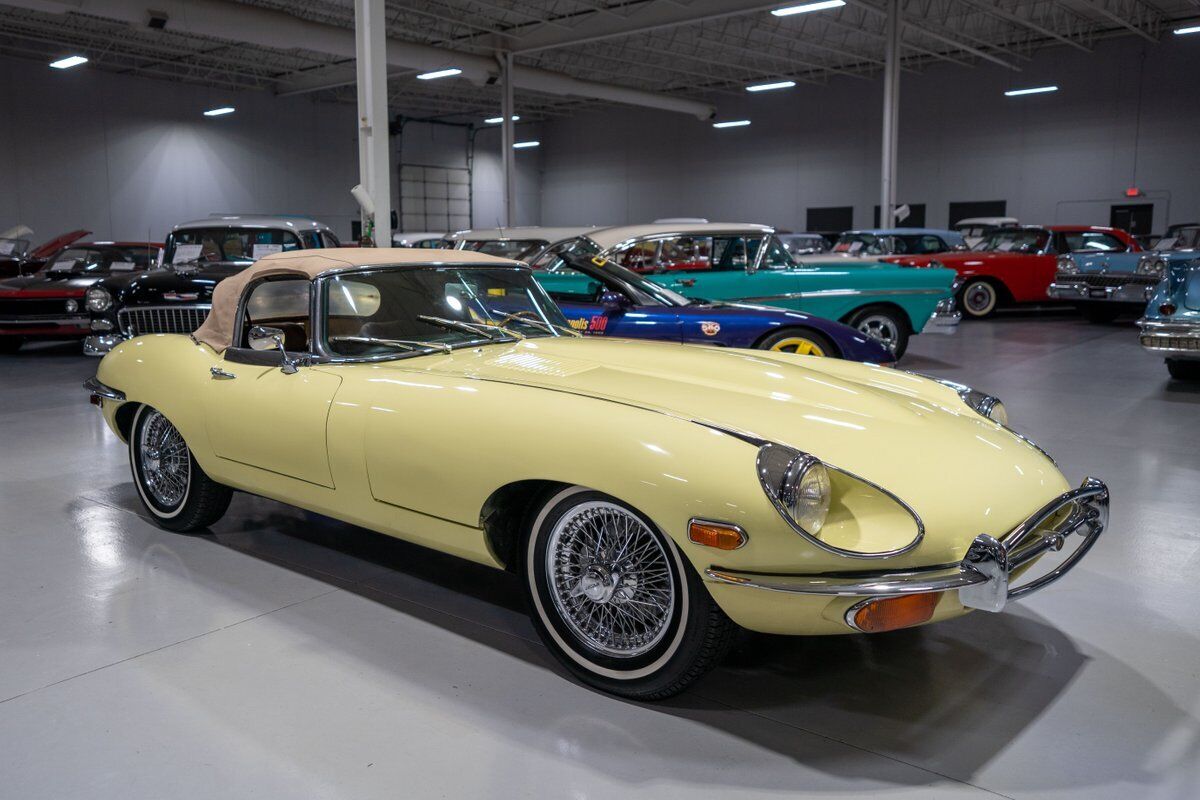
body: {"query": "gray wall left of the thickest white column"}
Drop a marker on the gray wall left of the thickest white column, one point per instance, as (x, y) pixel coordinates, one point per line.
(128, 158)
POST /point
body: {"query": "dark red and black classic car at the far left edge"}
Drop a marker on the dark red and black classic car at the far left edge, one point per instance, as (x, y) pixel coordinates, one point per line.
(52, 302)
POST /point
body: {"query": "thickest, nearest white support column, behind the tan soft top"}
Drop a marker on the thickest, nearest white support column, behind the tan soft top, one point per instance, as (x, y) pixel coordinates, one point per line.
(375, 161)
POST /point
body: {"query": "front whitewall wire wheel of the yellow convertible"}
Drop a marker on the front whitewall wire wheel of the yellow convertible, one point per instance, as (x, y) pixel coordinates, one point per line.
(616, 603)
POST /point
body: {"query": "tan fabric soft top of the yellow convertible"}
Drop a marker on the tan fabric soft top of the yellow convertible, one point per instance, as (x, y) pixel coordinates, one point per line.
(218, 330)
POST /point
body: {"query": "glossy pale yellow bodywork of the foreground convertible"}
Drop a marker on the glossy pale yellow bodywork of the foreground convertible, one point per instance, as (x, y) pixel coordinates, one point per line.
(416, 447)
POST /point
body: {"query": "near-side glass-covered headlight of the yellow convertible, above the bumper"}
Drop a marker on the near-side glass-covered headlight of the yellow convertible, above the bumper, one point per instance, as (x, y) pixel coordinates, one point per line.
(837, 512)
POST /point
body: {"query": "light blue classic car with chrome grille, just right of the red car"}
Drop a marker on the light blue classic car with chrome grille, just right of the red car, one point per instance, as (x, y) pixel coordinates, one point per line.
(1105, 285)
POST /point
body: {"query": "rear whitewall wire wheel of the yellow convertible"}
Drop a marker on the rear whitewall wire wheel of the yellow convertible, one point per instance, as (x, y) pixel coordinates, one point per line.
(173, 489)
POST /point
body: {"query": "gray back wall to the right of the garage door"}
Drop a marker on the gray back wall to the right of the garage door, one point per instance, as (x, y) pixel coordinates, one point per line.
(1061, 158)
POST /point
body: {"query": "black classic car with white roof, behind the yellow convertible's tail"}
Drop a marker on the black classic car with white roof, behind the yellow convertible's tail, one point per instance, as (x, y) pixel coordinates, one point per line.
(177, 298)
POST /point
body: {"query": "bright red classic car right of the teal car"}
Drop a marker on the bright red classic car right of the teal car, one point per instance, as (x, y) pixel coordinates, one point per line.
(1018, 264)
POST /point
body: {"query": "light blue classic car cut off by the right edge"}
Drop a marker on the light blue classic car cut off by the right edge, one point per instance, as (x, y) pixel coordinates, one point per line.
(1172, 326)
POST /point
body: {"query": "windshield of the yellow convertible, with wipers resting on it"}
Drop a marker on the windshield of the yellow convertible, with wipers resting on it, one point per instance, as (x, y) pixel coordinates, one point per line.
(379, 312)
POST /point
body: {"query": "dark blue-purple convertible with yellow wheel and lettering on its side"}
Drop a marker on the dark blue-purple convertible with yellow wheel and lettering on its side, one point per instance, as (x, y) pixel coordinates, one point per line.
(602, 298)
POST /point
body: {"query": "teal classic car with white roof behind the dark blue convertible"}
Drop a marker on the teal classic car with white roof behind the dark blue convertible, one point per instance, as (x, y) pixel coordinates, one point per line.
(748, 263)
